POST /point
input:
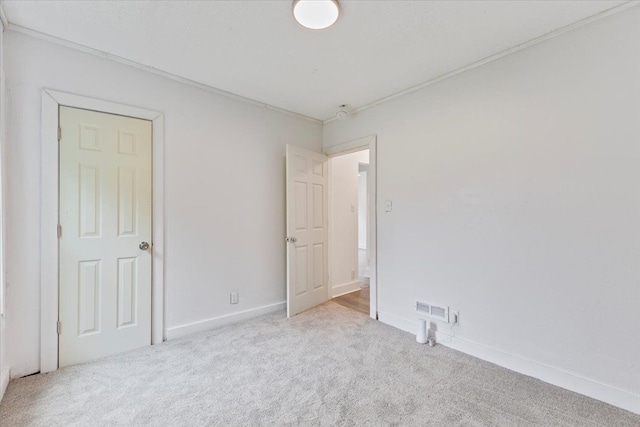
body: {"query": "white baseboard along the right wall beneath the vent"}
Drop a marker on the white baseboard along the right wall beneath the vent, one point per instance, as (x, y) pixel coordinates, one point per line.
(549, 374)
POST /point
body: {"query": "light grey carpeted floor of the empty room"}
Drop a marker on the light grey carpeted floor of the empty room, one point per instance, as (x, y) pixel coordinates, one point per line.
(328, 366)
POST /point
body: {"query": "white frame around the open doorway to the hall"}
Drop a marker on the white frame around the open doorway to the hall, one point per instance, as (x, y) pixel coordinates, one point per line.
(370, 143)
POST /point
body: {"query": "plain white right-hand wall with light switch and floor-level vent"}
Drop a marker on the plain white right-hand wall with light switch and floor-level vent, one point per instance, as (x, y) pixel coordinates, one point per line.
(516, 200)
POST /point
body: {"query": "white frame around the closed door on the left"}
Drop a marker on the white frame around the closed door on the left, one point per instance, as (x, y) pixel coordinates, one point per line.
(49, 256)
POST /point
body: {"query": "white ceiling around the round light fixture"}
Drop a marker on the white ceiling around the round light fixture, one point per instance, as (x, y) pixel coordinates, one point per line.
(256, 50)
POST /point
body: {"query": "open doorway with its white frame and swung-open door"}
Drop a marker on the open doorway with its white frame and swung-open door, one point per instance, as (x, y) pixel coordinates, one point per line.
(323, 244)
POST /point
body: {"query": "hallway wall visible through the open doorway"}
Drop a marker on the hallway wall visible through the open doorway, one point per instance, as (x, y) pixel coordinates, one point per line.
(343, 220)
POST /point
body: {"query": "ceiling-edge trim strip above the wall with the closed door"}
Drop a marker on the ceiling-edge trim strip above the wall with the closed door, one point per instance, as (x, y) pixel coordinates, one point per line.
(153, 70)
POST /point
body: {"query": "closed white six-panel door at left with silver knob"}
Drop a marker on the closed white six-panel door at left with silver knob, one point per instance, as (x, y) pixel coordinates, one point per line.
(105, 216)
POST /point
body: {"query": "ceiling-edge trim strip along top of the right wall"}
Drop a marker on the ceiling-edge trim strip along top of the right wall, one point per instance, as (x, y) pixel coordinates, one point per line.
(555, 33)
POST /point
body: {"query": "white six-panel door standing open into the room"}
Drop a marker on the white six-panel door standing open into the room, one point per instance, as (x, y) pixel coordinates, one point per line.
(307, 251)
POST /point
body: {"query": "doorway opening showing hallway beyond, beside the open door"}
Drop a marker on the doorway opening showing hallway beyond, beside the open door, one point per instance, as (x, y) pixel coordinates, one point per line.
(349, 216)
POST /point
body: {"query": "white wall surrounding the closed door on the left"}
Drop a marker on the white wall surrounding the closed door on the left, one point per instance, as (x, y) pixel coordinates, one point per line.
(224, 187)
